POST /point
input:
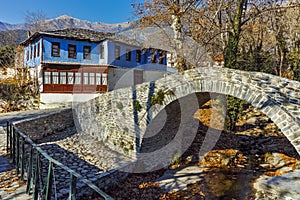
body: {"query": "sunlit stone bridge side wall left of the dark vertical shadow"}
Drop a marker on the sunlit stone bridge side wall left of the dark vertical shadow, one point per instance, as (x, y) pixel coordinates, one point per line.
(102, 118)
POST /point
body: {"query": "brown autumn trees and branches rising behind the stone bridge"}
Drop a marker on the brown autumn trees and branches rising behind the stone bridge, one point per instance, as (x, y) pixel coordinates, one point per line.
(251, 34)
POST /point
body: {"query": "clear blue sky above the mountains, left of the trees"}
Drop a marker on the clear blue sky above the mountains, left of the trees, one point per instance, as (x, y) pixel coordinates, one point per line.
(107, 11)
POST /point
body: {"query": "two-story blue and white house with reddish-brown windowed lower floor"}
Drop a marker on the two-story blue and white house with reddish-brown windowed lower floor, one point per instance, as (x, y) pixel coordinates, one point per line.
(83, 62)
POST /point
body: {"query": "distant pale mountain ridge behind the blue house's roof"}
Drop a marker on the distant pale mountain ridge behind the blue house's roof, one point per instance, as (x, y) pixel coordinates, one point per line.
(65, 21)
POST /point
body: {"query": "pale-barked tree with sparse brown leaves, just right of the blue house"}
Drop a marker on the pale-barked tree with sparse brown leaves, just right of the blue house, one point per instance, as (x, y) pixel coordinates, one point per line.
(170, 13)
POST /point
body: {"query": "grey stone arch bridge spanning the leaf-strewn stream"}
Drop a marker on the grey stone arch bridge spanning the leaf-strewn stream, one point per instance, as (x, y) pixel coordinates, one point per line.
(120, 118)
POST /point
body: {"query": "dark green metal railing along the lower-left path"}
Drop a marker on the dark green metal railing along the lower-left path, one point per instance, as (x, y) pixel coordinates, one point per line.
(28, 157)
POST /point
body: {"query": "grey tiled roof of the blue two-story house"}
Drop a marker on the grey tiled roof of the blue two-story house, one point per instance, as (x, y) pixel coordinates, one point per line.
(83, 34)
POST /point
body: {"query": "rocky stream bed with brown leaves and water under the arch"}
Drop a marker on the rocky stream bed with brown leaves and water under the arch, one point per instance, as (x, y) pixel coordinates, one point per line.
(257, 151)
